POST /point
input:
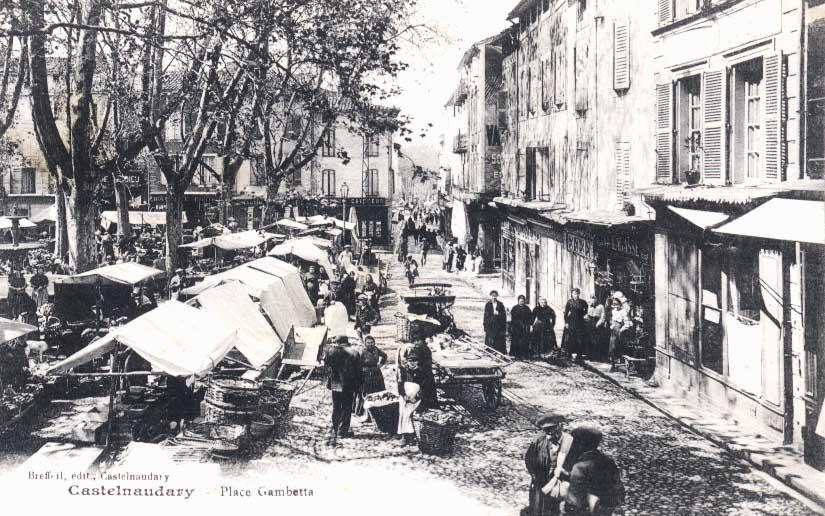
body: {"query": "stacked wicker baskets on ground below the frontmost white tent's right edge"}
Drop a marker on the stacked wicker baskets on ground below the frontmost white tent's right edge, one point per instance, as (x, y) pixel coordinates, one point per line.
(230, 400)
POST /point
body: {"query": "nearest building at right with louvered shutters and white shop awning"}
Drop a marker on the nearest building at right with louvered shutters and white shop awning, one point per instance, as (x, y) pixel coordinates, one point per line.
(735, 283)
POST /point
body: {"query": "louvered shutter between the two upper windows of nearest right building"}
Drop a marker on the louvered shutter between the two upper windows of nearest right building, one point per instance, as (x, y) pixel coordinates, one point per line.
(713, 127)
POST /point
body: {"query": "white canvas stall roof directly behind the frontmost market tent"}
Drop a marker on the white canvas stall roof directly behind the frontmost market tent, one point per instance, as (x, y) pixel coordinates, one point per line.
(229, 303)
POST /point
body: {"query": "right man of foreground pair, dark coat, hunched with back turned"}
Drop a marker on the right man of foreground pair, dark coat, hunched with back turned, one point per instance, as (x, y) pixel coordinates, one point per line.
(595, 481)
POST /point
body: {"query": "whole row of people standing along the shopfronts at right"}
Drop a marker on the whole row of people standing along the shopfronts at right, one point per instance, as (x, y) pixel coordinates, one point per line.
(593, 329)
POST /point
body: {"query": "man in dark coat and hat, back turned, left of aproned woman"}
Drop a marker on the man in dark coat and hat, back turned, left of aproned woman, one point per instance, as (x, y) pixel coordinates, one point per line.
(343, 373)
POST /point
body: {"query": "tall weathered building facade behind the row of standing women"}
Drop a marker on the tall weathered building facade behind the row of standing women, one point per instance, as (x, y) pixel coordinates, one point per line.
(578, 95)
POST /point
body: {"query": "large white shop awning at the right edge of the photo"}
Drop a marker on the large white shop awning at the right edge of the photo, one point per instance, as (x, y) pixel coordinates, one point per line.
(782, 219)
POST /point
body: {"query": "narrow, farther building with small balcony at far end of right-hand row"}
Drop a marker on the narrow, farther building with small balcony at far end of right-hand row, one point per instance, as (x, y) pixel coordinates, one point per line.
(480, 110)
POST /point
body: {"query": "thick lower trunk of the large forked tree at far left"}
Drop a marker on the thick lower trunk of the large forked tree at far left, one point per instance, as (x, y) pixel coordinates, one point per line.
(81, 221)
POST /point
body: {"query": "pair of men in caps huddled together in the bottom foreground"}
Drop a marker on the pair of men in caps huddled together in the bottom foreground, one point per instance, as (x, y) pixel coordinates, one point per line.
(569, 474)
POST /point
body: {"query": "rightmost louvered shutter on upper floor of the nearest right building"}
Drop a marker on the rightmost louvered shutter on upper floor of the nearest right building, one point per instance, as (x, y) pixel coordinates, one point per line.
(773, 133)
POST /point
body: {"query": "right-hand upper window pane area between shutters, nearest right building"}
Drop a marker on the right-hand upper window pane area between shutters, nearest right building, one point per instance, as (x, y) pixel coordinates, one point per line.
(746, 155)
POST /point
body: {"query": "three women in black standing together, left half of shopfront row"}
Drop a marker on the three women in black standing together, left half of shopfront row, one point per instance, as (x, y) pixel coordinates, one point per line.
(532, 331)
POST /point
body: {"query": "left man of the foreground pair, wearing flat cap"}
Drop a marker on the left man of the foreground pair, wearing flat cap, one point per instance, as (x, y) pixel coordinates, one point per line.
(540, 459)
